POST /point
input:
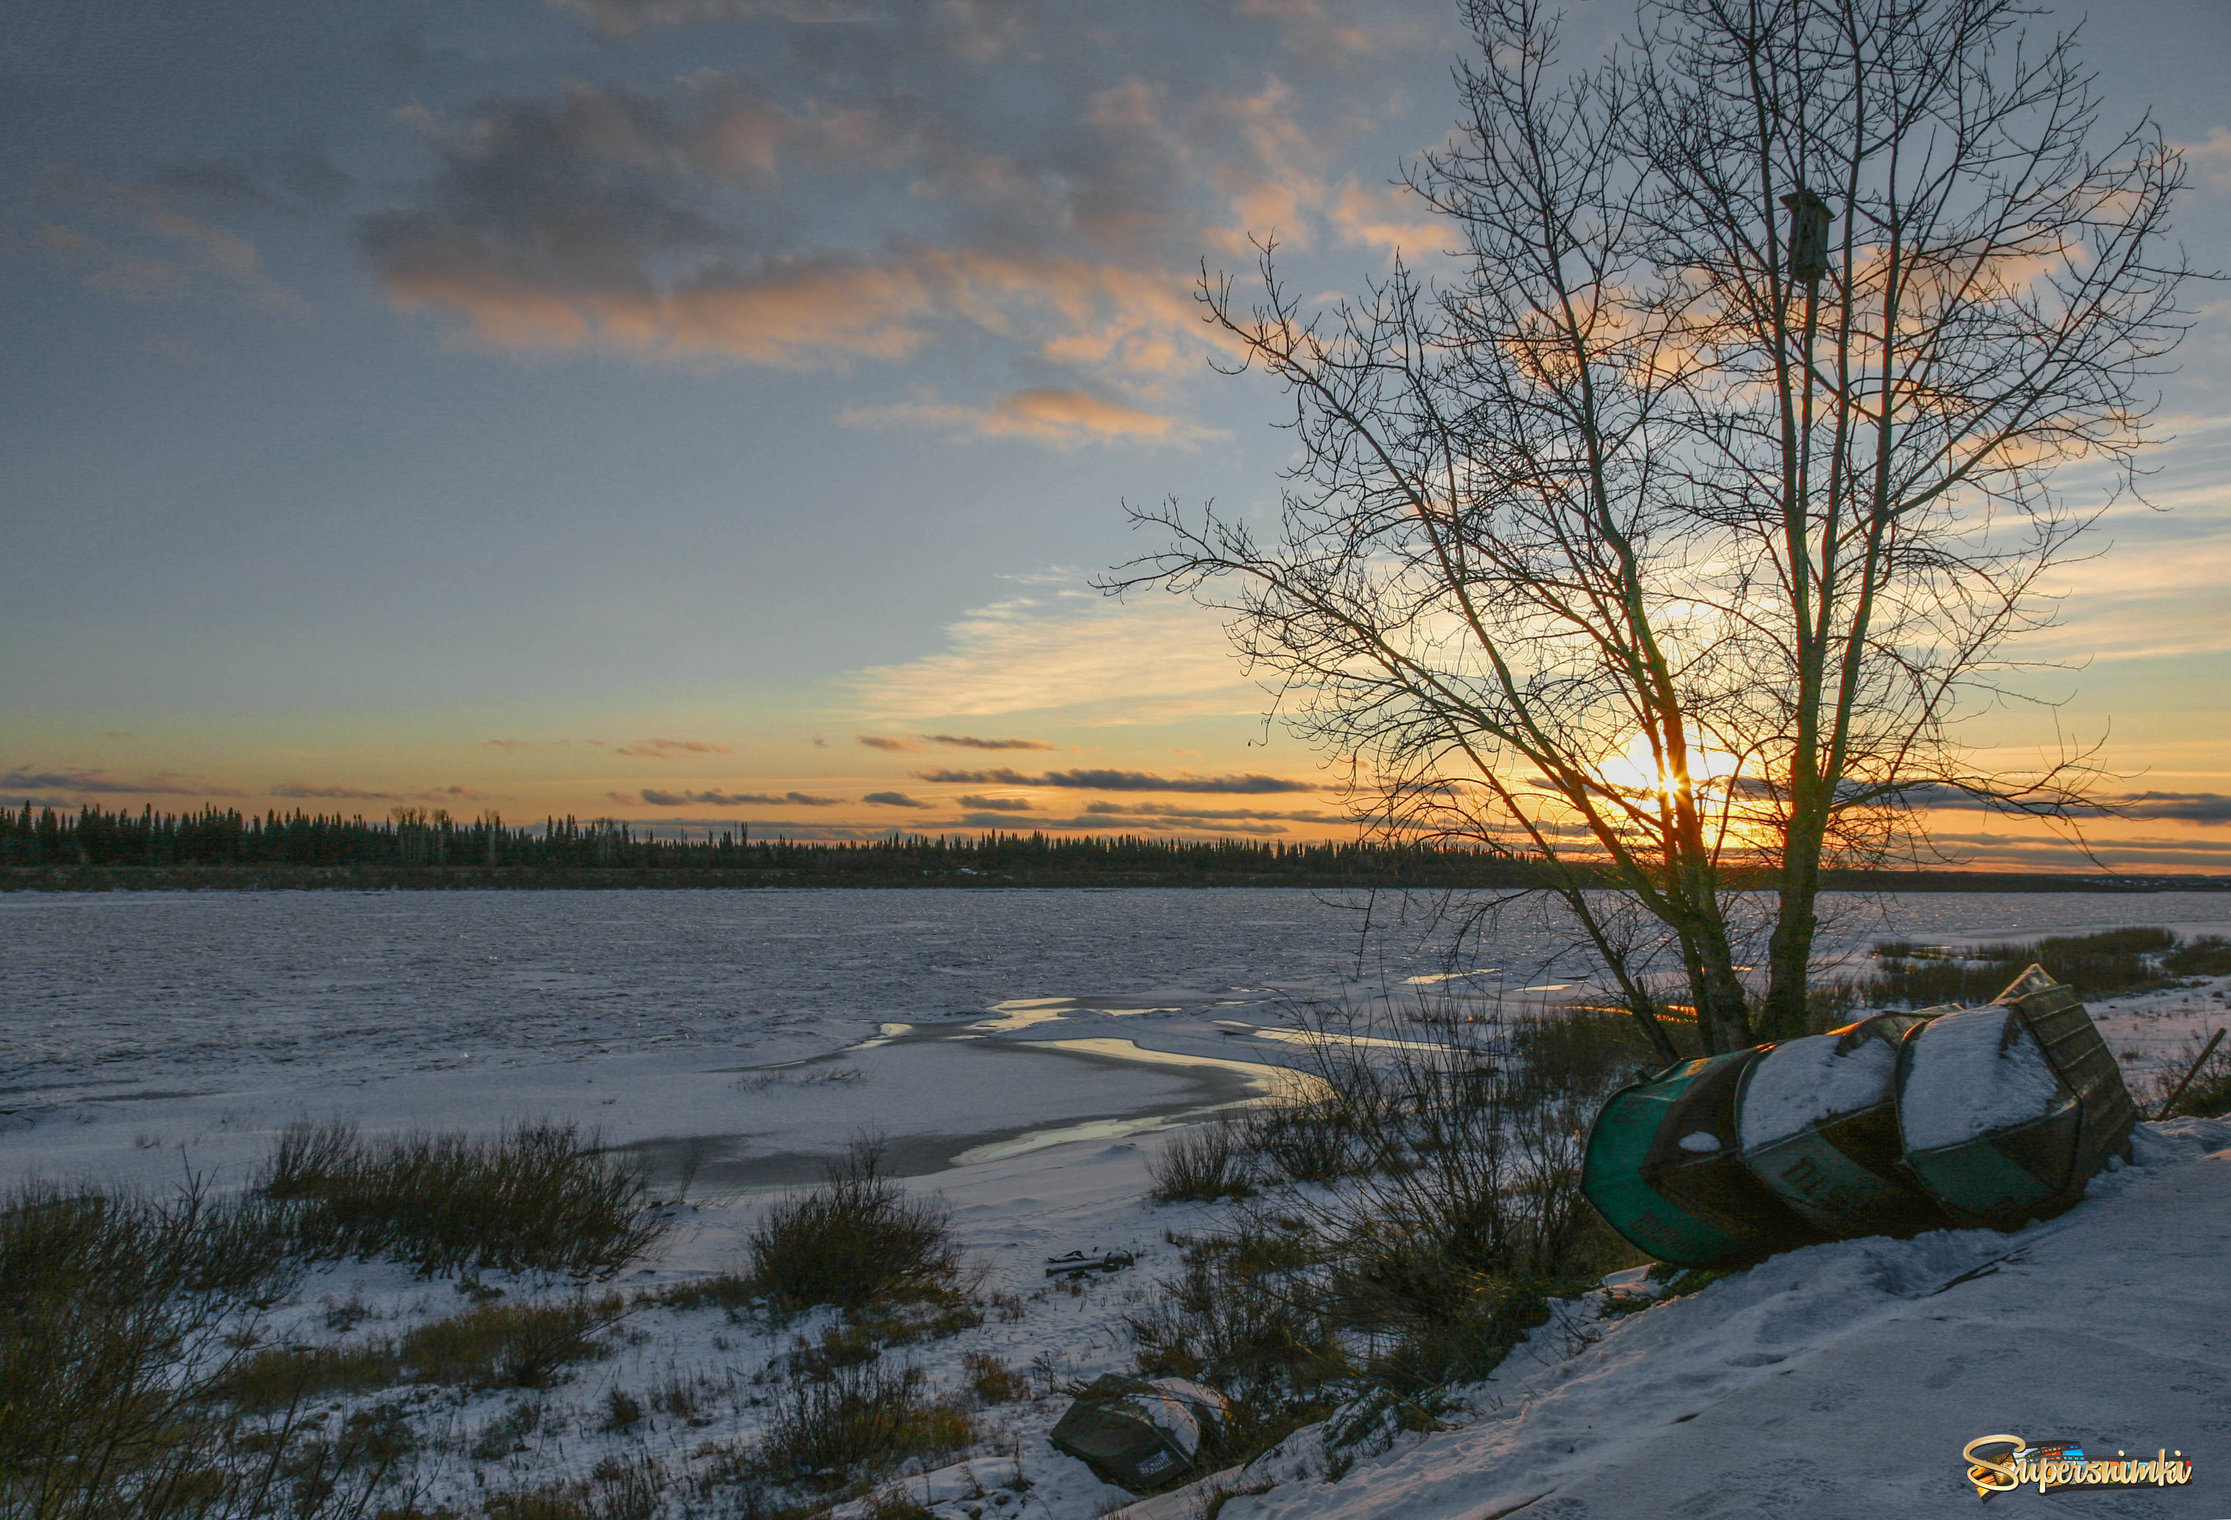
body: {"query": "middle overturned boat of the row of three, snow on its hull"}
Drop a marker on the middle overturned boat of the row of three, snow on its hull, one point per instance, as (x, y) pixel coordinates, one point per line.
(1846, 1173)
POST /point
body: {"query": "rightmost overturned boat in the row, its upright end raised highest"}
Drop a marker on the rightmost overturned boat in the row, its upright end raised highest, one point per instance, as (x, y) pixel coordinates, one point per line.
(2011, 1175)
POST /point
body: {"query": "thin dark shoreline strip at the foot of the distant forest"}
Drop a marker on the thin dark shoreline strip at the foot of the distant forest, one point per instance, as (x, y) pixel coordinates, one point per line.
(1491, 876)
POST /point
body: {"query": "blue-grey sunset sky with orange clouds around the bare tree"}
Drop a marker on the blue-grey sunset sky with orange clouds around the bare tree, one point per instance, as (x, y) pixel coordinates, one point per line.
(713, 414)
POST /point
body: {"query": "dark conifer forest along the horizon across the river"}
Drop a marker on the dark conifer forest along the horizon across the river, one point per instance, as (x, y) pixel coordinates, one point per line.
(97, 849)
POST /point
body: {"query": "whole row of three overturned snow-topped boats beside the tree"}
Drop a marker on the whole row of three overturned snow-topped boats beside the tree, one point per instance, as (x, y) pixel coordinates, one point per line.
(1891, 1126)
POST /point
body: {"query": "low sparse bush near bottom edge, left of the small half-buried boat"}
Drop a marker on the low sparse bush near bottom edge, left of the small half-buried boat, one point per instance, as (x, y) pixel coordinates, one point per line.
(858, 1423)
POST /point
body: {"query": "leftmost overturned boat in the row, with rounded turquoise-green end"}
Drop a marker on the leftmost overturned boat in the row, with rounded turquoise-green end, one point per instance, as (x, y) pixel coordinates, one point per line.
(1665, 1171)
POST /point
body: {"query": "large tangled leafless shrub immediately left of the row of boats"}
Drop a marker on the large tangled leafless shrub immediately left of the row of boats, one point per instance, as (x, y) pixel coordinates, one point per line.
(1433, 1215)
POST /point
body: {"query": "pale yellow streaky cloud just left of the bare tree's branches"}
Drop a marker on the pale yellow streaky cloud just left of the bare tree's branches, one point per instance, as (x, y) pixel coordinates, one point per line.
(1076, 653)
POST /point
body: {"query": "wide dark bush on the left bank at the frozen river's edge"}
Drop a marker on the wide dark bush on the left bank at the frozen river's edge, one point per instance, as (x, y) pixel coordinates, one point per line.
(537, 1197)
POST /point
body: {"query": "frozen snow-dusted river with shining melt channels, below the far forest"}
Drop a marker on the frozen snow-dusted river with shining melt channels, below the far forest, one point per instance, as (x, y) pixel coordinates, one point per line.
(197, 1014)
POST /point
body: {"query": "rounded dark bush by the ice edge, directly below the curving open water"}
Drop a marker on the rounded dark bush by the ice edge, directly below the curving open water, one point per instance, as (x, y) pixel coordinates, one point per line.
(856, 1242)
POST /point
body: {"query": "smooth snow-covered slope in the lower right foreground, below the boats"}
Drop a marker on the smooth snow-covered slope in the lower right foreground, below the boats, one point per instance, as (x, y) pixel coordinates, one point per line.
(1844, 1380)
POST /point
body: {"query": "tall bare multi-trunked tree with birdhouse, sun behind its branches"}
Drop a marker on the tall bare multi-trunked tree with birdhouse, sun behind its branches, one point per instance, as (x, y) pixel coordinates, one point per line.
(1661, 548)
